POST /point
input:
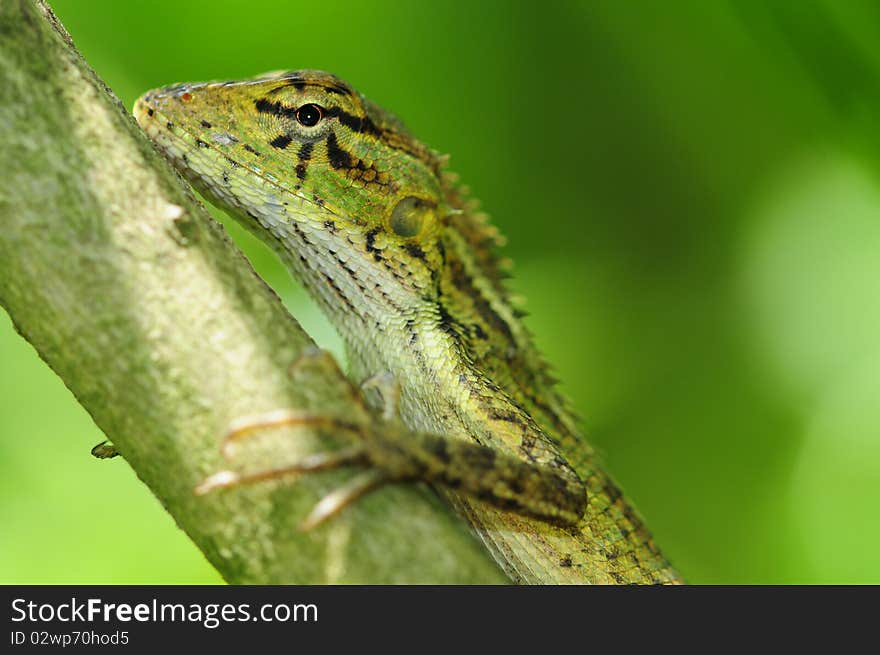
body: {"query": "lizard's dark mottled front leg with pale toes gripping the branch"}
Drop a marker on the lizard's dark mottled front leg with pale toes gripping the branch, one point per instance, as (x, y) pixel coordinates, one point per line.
(390, 453)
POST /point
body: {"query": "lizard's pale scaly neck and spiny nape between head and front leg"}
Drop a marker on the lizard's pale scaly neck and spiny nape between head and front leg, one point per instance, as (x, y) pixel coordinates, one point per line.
(445, 328)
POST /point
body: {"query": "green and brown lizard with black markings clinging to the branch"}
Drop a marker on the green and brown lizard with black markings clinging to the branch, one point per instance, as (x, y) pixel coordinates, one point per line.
(405, 267)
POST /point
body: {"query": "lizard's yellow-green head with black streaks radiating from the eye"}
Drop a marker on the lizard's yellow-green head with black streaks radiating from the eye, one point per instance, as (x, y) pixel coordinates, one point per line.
(303, 160)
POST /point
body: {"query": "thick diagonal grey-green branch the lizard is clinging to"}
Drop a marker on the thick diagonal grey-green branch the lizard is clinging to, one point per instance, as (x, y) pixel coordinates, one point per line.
(138, 300)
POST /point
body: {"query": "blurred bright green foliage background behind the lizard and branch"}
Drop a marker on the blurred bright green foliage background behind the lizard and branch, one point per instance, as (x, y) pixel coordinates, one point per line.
(691, 196)
